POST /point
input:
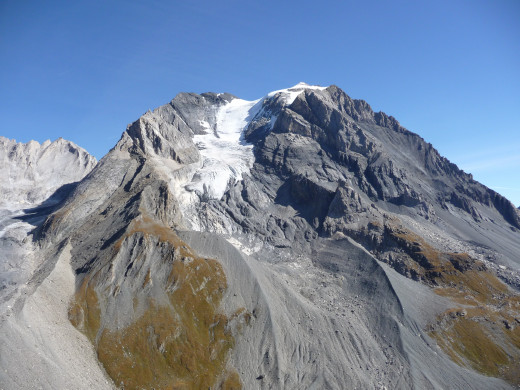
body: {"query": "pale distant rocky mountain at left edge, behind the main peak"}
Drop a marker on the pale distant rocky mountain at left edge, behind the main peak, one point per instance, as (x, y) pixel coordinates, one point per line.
(35, 178)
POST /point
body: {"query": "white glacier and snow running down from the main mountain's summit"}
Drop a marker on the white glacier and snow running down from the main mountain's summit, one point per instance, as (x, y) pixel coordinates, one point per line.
(225, 156)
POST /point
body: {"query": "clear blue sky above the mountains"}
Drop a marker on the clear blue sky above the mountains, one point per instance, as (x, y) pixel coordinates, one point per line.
(448, 70)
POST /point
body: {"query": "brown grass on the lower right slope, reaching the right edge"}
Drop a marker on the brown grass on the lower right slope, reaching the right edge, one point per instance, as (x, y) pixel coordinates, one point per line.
(474, 336)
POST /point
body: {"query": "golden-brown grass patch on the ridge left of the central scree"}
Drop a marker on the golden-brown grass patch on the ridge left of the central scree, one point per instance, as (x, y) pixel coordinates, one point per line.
(181, 345)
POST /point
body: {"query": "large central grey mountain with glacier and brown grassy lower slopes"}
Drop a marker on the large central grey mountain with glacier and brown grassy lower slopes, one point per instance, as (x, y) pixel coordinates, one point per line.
(297, 241)
